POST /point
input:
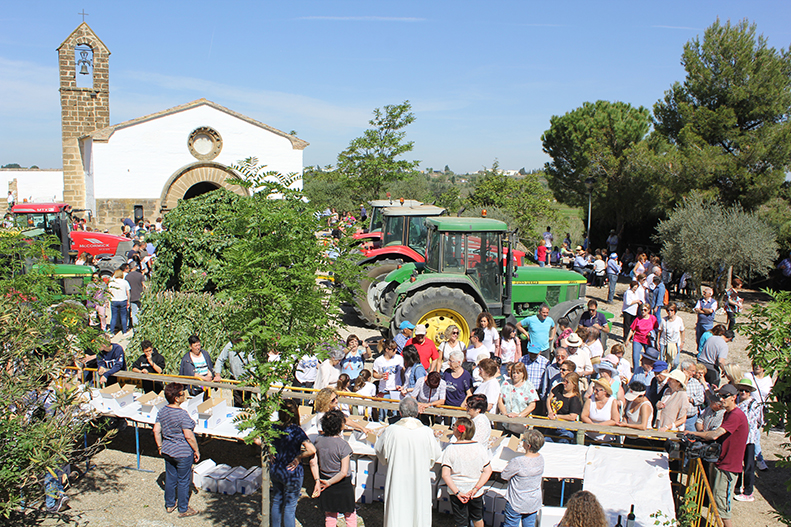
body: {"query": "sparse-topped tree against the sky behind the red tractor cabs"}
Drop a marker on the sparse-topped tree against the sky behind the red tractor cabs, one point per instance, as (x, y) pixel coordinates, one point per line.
(371, 161)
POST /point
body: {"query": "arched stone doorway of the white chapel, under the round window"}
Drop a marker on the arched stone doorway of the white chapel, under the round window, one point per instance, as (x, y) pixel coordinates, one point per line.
(196, 179)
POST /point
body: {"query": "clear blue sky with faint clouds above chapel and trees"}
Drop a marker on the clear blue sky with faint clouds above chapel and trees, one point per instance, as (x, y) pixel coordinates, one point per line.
(484, 78)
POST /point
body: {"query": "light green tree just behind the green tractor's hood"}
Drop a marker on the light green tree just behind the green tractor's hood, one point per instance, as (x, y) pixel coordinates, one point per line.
(525, 200)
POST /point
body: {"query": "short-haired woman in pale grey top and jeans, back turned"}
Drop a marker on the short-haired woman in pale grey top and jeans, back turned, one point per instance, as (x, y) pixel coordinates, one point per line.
(524, 474)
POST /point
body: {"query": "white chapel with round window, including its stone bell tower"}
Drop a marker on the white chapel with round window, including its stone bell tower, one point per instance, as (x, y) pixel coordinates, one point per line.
(144, 166)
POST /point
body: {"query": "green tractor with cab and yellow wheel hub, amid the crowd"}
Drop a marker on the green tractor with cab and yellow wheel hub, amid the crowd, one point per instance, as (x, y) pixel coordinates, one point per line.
(465, 273)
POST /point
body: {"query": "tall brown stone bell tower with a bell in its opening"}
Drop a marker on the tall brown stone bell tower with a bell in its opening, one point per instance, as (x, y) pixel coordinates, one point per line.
(83, 63)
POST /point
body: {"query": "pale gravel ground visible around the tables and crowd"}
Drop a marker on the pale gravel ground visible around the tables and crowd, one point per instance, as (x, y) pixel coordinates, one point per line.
(112, 494)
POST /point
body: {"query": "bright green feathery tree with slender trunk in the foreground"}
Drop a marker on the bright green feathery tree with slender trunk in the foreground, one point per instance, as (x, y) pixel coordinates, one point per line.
(270, 274)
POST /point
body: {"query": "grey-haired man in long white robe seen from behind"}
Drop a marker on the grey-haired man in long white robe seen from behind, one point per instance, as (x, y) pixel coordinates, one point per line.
(410, 450)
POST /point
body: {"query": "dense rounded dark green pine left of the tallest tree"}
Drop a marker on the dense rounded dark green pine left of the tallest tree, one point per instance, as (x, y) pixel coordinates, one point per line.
(595, 142)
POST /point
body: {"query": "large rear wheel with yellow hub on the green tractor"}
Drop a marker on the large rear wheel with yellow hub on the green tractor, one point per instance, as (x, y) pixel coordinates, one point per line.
(437, 308)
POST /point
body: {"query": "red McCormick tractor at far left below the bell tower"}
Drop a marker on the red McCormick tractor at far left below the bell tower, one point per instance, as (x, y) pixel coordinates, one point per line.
(108, 251)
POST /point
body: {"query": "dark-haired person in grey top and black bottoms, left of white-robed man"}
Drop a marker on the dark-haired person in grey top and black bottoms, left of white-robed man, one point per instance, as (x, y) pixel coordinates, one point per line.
(334, 487)
